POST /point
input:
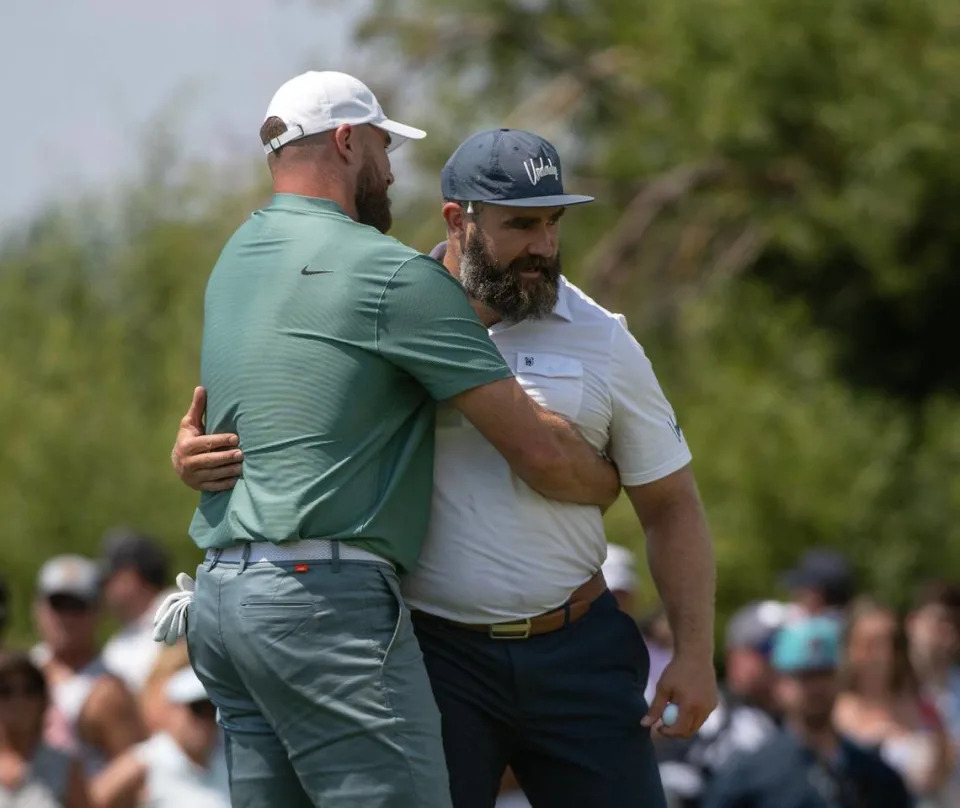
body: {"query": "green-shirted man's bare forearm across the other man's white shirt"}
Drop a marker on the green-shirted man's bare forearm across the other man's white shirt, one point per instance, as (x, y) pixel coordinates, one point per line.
(545, 450)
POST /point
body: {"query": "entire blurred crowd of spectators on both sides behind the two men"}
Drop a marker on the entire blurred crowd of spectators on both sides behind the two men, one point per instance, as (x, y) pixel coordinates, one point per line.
(127, 723)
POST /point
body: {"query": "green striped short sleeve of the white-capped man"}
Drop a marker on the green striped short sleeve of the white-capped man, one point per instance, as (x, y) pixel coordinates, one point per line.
(426, 326)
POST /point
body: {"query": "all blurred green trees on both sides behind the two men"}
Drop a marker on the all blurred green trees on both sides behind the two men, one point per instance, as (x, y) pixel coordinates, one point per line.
(778, 216)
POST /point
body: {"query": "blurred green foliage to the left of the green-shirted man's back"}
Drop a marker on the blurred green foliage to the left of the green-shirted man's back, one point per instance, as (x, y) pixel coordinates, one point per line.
(100, 317)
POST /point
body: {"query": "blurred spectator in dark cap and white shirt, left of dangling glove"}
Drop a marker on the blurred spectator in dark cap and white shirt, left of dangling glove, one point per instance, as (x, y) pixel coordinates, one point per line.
(135, 570)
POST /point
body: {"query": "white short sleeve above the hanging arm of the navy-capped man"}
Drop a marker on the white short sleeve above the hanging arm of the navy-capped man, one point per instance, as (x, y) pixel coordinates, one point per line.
(646, 441)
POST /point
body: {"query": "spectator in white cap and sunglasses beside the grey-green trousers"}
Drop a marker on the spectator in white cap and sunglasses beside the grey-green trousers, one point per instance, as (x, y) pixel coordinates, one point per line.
(182, 765)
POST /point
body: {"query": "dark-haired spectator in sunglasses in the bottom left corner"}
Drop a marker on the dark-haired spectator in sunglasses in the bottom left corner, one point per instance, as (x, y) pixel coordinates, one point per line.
(32, 774)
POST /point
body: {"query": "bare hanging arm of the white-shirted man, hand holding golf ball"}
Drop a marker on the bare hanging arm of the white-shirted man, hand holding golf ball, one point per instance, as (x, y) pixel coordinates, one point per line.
(680, 555)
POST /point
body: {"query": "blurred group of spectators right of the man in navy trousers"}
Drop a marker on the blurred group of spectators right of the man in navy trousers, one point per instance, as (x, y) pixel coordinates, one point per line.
(829, 697)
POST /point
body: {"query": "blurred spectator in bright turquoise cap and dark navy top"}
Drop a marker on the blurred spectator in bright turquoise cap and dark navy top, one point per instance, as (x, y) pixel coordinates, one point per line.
(808, 764)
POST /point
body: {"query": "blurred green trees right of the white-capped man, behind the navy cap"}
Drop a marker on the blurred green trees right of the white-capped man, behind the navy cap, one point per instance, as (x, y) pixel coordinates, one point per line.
(777, 215)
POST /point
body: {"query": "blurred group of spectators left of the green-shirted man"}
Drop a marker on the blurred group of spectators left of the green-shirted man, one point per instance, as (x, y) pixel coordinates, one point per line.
(112, 725)
